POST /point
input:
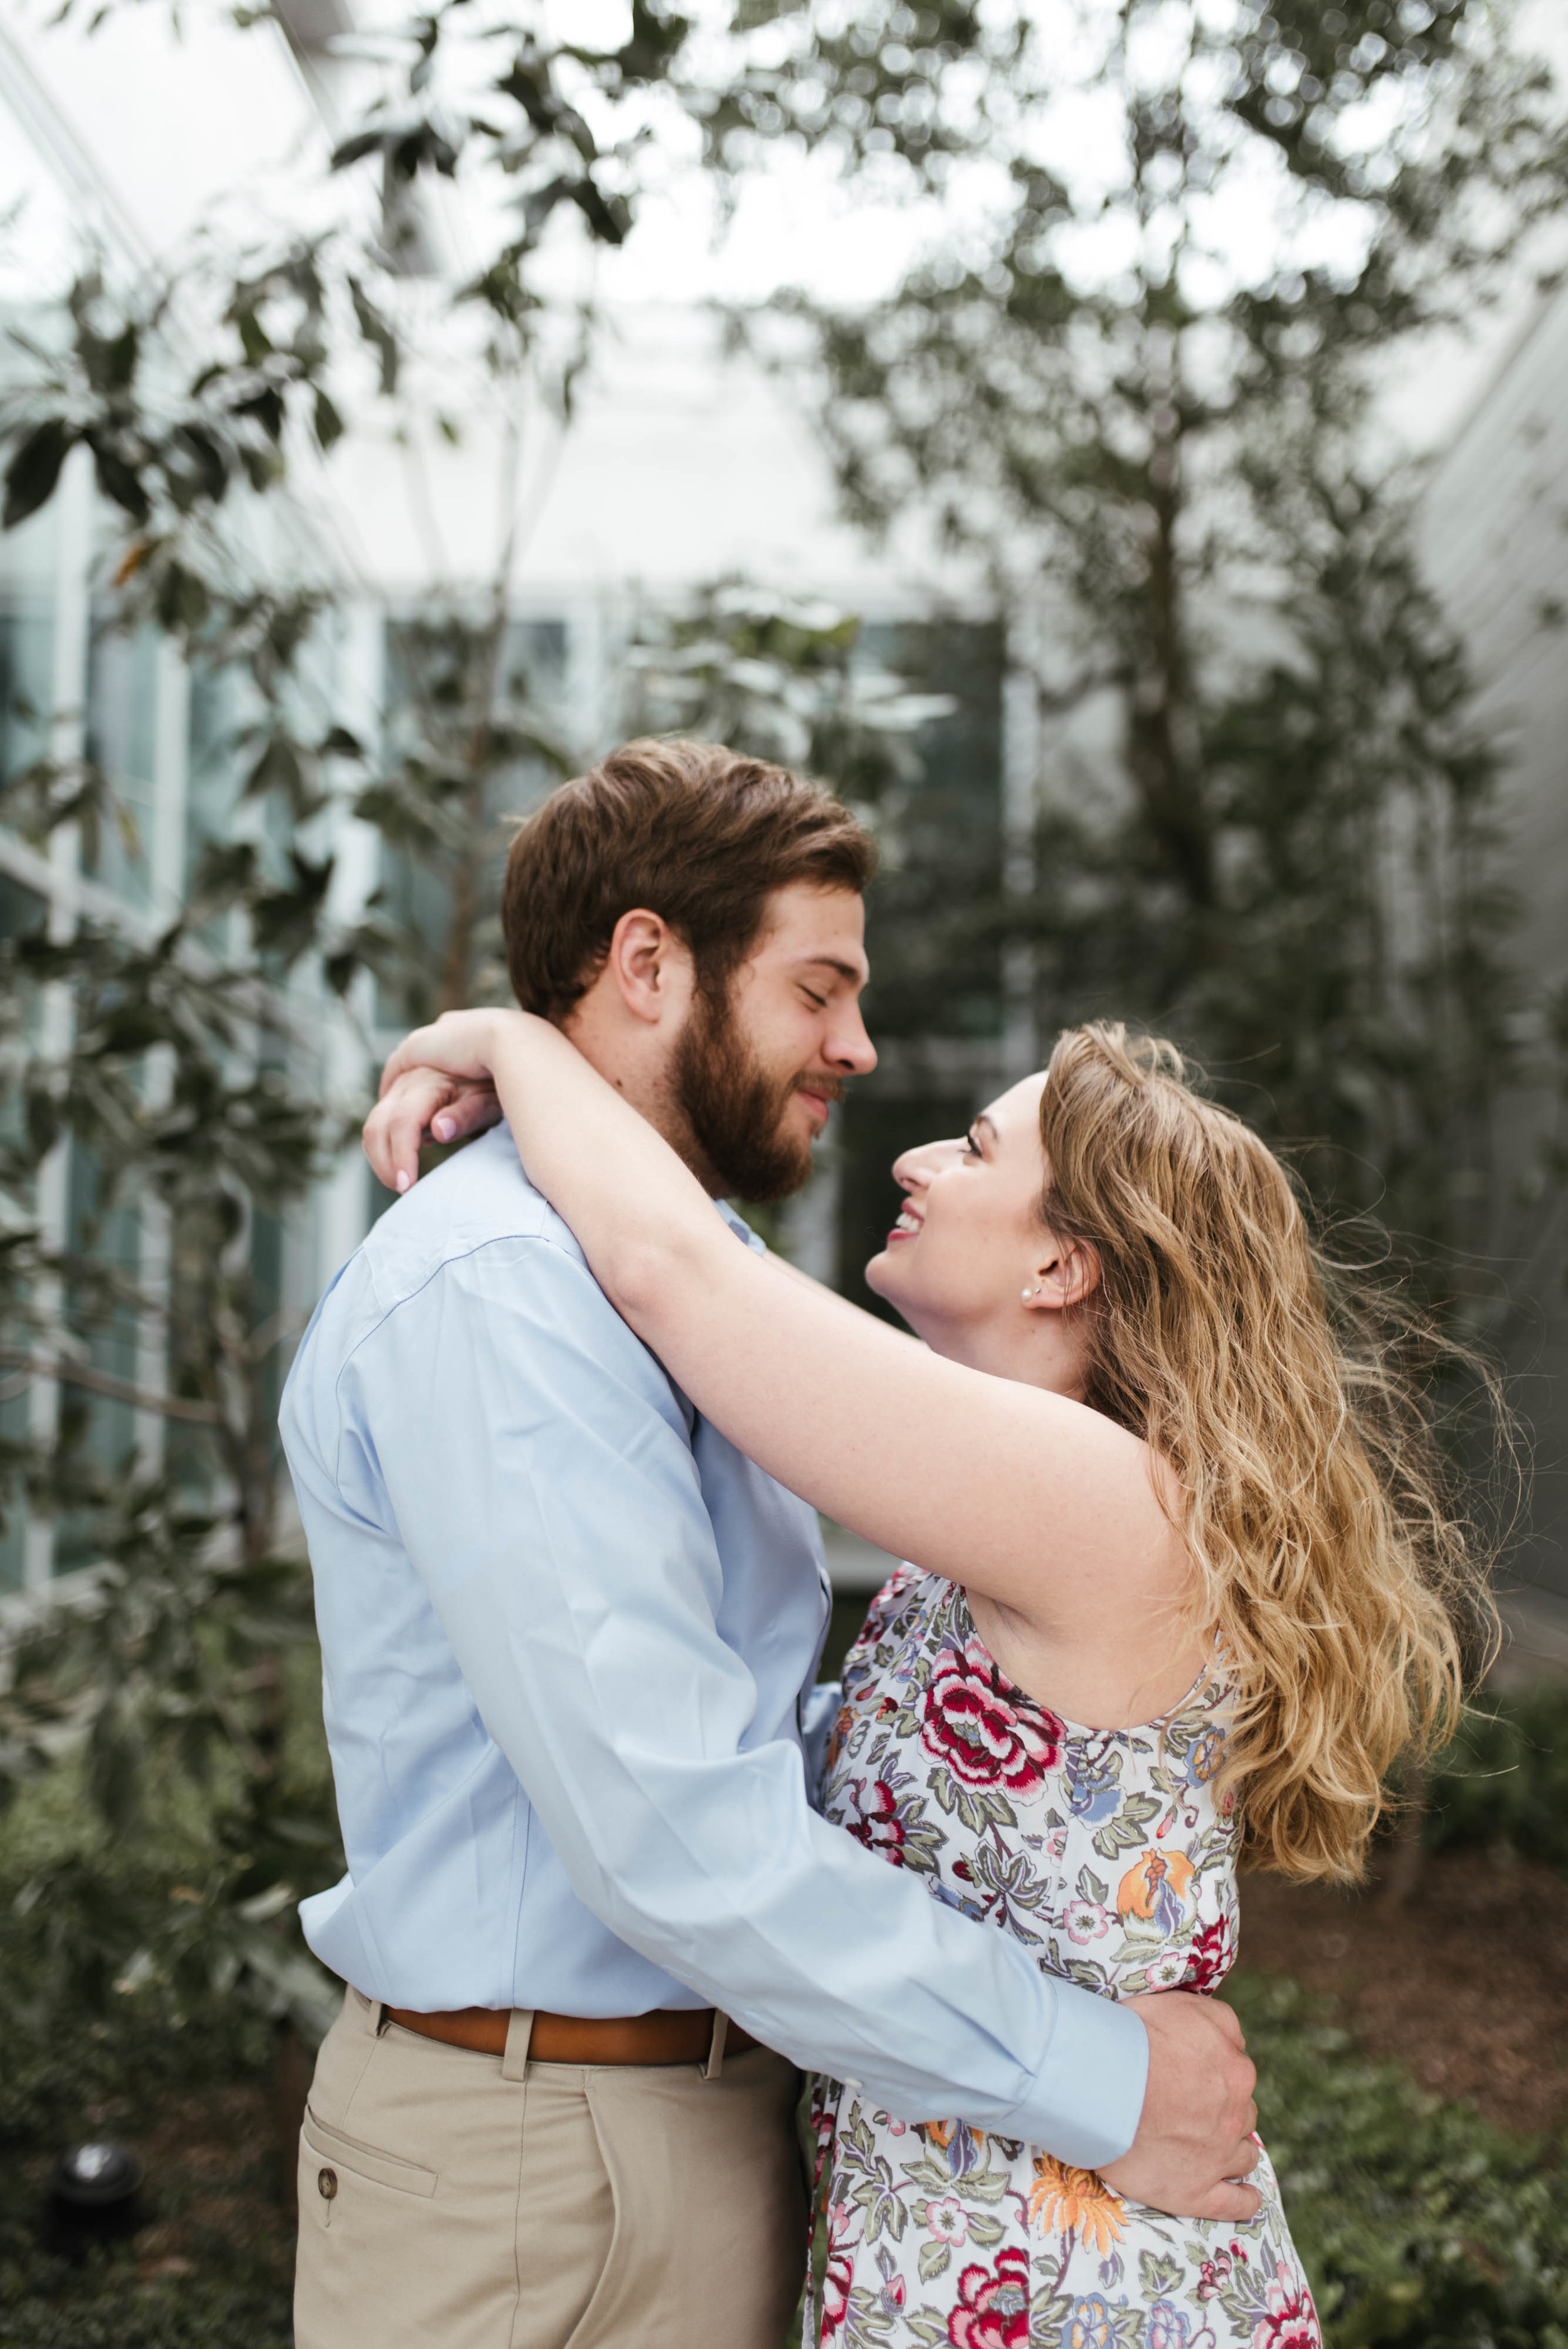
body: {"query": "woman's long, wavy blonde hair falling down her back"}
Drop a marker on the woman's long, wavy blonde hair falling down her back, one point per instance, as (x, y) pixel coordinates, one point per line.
(1346, 1591)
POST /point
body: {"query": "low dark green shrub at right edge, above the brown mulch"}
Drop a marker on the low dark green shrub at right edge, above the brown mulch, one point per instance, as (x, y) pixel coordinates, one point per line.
(1503, 1784)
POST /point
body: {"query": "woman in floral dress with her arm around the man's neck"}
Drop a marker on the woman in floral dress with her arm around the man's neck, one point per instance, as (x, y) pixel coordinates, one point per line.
(1180, 1591)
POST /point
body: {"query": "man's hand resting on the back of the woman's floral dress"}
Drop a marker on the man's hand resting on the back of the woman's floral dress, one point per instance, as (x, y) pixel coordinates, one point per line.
(1196, 2136)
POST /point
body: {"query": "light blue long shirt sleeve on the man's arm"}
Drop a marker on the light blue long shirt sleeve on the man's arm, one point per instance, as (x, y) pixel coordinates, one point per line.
(569, 1556)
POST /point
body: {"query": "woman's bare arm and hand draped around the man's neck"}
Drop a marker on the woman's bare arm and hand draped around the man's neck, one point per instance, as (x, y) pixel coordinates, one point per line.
(1027, 1497)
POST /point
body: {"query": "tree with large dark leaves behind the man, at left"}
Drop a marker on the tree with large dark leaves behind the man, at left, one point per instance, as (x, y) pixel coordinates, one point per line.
(205, 1070)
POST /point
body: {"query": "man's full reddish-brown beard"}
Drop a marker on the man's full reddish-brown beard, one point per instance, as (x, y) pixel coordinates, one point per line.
(736, 1110)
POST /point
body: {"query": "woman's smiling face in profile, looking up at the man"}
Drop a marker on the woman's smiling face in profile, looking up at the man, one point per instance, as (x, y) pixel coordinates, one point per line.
(971, 1237)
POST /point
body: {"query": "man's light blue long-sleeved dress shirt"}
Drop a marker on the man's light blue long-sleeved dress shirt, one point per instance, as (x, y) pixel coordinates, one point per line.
(569, 1641)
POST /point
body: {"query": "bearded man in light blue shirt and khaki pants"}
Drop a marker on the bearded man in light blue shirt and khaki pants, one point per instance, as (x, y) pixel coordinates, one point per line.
(569, 1648)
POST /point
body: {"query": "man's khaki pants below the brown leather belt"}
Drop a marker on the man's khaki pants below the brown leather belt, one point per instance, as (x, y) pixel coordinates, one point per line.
(466, 2202)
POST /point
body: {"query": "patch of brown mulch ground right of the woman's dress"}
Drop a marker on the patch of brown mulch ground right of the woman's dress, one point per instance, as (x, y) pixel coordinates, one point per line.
(1464, 1979)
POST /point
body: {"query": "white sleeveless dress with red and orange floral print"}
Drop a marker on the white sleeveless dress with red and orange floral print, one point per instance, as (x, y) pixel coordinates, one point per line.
(1107, 1855)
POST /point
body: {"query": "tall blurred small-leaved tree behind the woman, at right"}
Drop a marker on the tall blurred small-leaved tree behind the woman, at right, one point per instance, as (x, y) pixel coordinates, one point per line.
(1137, 389)
